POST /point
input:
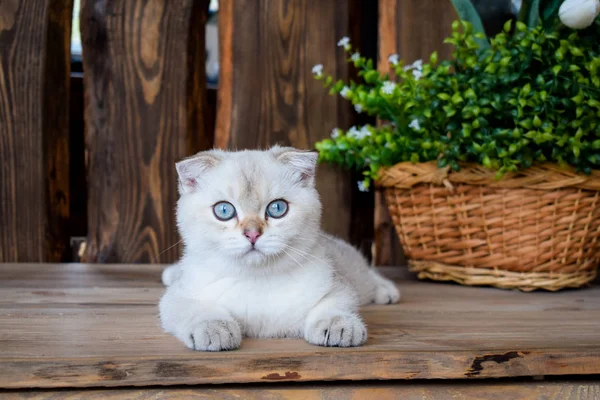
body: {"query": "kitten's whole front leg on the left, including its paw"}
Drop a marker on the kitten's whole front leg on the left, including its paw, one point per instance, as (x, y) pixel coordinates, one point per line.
(198, 325)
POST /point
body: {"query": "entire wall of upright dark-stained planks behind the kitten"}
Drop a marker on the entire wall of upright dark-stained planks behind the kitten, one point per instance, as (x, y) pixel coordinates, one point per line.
(87, 156)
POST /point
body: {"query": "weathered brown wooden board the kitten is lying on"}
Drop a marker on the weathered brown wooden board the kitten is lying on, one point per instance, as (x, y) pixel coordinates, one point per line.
(80, 325)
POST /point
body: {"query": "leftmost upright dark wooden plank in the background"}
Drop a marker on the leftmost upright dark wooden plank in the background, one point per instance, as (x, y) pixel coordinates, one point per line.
(34, 129)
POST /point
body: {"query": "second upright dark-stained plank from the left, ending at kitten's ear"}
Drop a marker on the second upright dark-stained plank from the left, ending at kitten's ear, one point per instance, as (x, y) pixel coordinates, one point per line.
(145, 83)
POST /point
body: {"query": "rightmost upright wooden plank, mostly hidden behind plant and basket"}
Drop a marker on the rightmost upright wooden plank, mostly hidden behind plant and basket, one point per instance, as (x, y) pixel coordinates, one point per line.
(413, 29)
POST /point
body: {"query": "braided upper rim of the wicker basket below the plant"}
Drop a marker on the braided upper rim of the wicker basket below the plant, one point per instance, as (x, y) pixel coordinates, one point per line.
(546, 176)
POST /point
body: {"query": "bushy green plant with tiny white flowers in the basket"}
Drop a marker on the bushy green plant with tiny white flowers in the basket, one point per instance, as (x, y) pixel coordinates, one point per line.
(531, 96)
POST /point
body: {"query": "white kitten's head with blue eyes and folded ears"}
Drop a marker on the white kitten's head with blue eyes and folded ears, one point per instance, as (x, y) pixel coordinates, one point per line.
(251, 207)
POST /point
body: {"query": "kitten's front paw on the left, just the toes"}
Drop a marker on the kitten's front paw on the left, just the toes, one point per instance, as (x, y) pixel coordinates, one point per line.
(215, 335)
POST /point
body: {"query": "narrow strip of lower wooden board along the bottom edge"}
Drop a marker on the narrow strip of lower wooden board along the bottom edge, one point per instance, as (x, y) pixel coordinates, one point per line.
(568, 390)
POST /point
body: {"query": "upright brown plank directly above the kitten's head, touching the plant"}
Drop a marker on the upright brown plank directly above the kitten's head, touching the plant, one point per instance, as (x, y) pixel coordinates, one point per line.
(267, 93)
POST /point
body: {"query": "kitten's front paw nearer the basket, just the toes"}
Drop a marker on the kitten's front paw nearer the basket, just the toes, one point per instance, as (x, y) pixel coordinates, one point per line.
(340, 331)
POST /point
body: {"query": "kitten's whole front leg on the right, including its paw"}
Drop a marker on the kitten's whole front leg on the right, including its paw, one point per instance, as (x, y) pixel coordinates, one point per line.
(335, 322)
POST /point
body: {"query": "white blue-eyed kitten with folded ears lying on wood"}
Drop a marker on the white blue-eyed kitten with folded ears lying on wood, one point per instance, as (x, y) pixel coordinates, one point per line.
(255, 261)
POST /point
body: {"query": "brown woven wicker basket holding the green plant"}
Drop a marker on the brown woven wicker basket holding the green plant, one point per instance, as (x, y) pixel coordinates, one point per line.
(538, 229)
